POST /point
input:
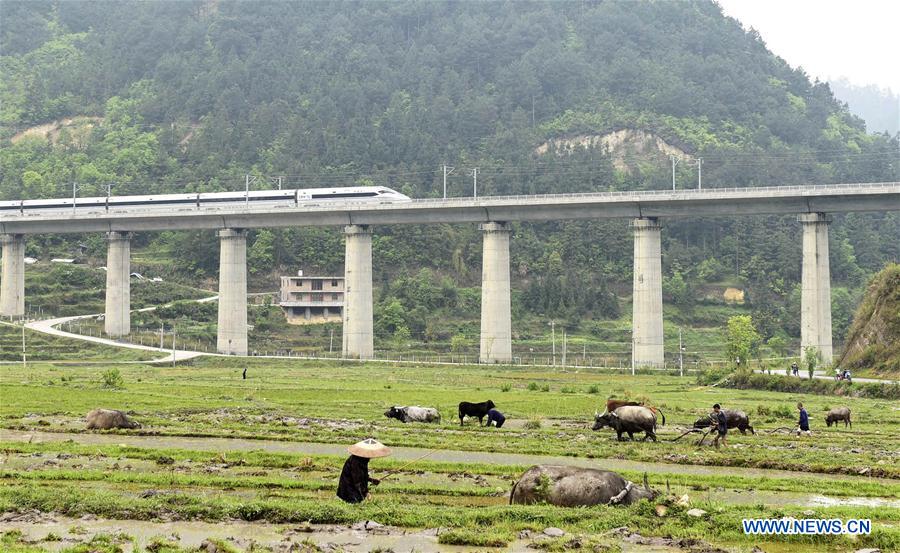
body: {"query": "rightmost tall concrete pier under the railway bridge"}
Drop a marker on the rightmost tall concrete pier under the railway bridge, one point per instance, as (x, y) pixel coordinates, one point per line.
(815, 298)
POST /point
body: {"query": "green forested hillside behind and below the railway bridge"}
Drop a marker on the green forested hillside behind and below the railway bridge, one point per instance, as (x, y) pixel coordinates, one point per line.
(193, 95)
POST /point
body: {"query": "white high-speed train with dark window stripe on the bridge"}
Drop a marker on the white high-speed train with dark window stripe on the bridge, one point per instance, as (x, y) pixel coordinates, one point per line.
(258, 198)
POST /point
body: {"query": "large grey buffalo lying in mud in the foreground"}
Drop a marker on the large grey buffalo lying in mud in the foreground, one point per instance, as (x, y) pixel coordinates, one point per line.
(575, 487)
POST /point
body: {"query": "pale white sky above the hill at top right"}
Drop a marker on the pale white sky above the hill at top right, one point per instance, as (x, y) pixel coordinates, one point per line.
(829, 38)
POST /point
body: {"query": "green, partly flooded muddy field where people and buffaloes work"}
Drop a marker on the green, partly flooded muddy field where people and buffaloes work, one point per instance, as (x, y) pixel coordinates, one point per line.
(234, 464)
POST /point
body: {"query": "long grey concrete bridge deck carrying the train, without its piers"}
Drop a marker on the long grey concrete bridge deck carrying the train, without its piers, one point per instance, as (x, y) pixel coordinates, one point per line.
(833, 198)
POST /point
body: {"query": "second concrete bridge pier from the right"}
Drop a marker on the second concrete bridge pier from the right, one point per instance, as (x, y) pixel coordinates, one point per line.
(647, 327)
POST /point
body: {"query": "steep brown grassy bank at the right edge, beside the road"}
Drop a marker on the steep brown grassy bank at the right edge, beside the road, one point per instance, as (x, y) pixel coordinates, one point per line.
(874, 339)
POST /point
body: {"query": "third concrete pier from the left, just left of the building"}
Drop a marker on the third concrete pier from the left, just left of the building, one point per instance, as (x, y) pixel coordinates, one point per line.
(232, 331)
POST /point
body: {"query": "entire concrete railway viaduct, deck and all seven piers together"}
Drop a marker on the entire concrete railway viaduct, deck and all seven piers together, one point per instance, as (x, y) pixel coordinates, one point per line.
(493, 214)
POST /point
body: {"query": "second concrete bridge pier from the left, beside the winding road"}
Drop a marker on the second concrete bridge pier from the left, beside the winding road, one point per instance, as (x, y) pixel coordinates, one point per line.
(117, 321)
